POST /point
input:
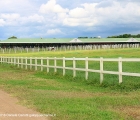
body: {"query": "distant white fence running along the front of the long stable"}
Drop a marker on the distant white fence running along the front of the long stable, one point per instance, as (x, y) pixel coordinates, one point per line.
(67, 48)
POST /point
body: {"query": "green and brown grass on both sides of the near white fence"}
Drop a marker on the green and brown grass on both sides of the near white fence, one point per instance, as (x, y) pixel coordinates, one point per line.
(74, 98)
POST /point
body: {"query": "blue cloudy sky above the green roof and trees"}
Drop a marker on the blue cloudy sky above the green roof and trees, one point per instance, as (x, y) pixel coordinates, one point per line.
(68, 18)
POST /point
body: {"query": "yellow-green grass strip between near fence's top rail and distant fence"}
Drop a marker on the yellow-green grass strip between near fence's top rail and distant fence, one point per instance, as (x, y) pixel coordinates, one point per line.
(108, 53)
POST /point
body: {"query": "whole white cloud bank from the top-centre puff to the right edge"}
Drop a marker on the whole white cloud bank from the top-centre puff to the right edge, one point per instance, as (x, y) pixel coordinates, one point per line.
(91, 14)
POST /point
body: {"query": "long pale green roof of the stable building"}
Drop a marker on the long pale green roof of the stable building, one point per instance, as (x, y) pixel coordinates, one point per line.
(66, 40)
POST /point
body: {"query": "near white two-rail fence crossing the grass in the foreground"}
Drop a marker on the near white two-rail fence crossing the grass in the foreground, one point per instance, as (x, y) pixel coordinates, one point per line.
(29, 62)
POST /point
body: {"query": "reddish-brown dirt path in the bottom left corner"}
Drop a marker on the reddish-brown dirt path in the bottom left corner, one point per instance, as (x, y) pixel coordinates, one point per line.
(9, 106)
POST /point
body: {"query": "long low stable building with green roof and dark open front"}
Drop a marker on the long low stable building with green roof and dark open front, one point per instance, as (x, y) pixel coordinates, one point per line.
(58, 42)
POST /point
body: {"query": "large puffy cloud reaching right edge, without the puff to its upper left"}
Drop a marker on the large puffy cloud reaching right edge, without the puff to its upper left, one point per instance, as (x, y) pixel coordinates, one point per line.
(93, 14)
